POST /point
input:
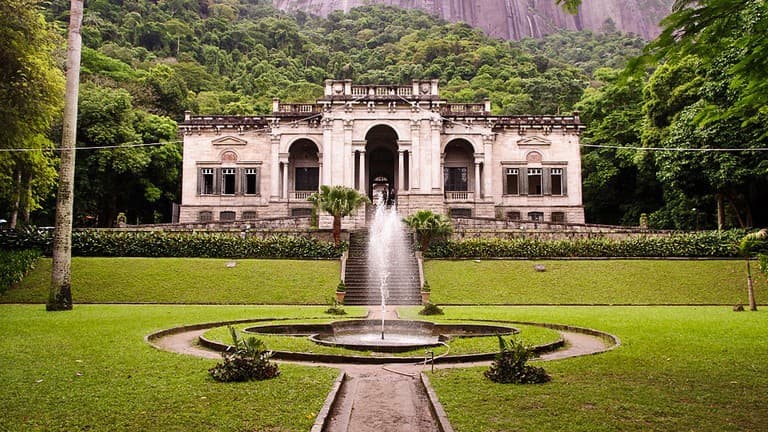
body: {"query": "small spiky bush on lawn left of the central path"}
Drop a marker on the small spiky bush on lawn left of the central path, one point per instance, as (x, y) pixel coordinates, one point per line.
(246, 360)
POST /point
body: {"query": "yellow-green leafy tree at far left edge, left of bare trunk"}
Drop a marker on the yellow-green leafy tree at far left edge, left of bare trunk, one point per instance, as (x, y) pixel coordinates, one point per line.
(31, 85)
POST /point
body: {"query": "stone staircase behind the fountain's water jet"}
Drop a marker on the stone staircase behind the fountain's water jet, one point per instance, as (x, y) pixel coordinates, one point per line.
(403, 279)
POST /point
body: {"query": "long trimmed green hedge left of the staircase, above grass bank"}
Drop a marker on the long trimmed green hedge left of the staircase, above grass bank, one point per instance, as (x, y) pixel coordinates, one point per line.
(177, 245)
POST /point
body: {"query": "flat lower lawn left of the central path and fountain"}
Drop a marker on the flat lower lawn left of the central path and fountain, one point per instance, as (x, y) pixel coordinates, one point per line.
(89, 369)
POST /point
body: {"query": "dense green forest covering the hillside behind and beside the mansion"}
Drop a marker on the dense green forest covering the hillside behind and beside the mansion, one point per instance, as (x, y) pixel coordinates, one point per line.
(145, 62)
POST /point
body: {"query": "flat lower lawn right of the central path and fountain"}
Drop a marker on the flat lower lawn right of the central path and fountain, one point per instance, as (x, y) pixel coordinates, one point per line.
(678, 369)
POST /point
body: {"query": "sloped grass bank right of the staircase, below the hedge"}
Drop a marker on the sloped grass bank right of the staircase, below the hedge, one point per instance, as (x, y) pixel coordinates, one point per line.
(591, 282)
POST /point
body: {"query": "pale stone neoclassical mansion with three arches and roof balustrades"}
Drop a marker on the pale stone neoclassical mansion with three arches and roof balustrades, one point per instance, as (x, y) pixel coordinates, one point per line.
(456, 159)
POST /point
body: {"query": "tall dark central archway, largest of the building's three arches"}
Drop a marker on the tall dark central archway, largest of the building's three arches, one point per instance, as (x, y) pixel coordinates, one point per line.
(382, 157)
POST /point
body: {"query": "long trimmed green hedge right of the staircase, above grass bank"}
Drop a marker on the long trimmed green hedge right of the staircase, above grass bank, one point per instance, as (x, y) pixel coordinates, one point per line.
(699, 244)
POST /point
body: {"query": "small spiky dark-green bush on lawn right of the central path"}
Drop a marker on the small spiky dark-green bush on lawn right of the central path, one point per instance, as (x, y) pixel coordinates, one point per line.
(510, 366)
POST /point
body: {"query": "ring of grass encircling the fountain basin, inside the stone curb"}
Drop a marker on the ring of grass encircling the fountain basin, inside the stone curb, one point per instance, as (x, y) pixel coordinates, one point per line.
(529, 334)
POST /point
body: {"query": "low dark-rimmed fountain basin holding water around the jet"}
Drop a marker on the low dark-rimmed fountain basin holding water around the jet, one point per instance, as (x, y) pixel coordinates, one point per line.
(398, 335)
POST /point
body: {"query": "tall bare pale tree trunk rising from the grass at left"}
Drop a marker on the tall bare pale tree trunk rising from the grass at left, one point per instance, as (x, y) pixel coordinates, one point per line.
(60, 297)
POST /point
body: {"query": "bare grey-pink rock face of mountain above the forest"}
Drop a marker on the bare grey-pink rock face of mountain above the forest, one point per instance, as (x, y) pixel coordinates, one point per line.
(517, 19)
